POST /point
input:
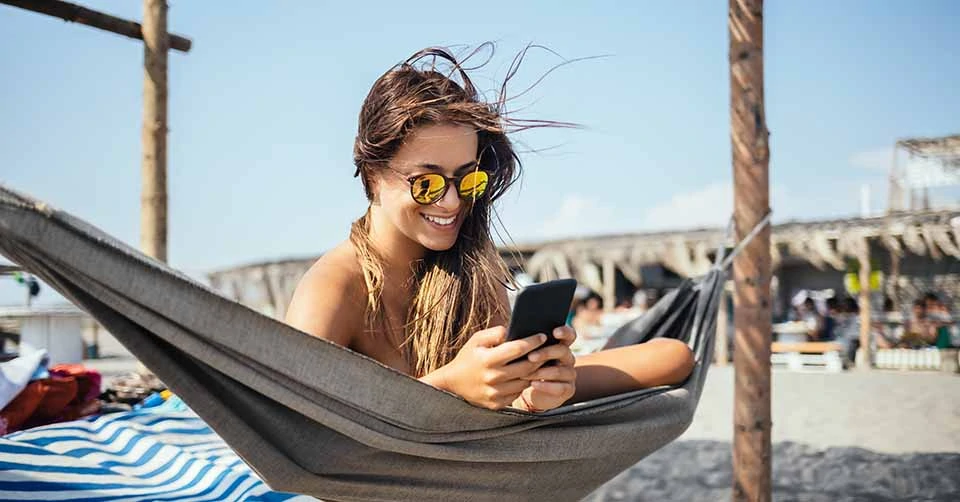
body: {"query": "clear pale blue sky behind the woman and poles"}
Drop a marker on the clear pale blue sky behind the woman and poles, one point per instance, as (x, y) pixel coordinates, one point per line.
(263, 113)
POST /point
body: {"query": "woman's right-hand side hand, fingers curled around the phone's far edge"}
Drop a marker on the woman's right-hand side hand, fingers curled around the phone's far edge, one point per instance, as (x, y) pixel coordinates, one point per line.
(551, 386)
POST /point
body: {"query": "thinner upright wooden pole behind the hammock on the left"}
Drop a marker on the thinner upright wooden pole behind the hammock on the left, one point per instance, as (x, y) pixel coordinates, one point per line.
(153, 198)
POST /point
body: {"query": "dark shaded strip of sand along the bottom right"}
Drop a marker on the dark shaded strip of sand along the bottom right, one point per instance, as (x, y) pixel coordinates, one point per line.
(700, 470)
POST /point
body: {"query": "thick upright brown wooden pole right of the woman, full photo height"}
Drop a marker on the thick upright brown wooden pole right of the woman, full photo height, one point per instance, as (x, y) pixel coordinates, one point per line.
(752, 268)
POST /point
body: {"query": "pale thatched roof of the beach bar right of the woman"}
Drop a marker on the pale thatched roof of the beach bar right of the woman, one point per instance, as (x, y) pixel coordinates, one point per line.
(825, 243)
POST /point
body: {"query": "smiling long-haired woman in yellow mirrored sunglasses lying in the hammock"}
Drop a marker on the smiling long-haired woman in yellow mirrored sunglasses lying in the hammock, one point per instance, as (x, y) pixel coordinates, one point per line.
(419, 285)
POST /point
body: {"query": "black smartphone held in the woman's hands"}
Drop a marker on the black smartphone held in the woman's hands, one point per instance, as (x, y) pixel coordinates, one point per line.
(540, 308)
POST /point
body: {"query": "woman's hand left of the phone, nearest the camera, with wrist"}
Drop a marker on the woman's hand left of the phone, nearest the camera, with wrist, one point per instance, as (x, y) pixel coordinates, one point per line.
(482, 372)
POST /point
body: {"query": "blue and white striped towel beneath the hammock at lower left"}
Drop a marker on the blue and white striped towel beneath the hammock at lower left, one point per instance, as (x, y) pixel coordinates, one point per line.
(136, 456)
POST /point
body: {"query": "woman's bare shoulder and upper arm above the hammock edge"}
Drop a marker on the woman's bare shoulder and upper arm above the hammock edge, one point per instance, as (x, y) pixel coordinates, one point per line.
(330, 298)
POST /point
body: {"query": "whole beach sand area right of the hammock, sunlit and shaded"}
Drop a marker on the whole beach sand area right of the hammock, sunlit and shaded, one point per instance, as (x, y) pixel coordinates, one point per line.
(871, 436)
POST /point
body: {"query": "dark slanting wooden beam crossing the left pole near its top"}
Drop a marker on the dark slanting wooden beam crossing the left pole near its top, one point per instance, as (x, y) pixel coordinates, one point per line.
(77, 14)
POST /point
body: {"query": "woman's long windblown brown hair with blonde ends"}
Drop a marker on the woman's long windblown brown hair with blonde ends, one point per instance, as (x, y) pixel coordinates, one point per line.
(458, 291)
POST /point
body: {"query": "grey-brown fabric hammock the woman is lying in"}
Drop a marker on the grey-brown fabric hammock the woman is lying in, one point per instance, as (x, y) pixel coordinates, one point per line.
(315, 418)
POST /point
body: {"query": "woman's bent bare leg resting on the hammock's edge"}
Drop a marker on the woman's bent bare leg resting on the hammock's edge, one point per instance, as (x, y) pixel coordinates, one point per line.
(661, 361)
